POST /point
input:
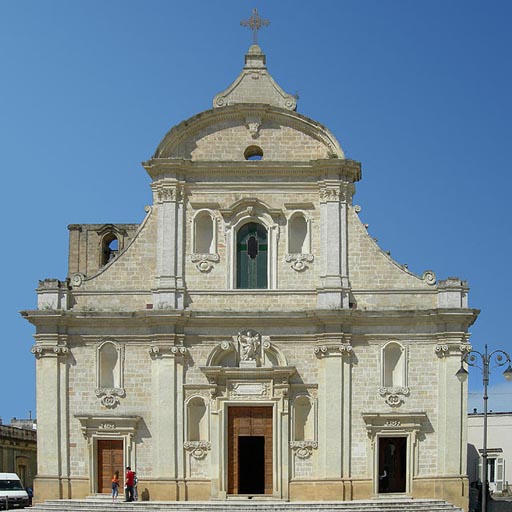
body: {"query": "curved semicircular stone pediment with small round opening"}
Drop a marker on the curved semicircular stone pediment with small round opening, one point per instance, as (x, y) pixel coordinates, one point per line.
(241, 132)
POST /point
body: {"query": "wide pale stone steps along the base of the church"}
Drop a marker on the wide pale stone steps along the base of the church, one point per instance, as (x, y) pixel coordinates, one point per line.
(104, 503)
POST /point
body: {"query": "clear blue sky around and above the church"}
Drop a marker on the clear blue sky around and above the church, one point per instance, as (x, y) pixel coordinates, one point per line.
(419, 92)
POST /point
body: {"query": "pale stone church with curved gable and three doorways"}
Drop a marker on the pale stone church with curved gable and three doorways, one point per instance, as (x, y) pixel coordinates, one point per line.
(249, 337)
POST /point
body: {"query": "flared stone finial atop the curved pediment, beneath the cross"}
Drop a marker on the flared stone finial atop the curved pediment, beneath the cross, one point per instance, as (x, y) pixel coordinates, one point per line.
(255, 85)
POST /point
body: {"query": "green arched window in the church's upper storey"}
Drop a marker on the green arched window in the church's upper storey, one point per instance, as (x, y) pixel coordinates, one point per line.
(251, 256)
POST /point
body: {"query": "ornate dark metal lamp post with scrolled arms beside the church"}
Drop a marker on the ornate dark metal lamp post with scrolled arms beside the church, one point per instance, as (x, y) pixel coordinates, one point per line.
(473, 358)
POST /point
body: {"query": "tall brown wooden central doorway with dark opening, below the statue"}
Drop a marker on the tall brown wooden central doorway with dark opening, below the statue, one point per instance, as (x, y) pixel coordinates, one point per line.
(250, 450)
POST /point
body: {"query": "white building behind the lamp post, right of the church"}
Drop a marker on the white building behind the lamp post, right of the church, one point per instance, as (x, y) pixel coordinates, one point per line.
(499, 443)
